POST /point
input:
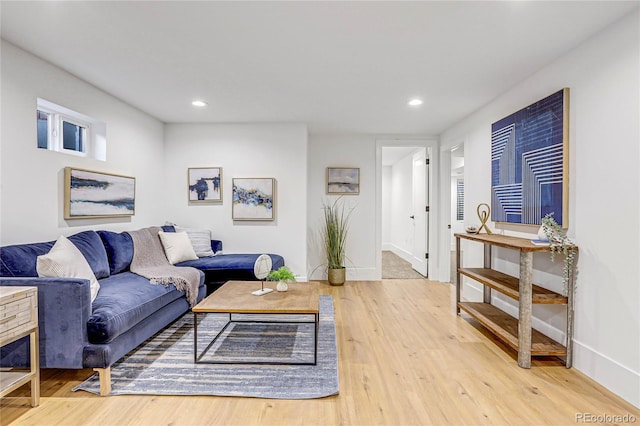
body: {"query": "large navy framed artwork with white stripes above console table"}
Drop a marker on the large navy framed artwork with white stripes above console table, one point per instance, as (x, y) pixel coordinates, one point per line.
(529, 163)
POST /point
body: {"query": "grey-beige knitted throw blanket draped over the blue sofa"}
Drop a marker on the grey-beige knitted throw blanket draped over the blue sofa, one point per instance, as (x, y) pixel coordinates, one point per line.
(150, 262)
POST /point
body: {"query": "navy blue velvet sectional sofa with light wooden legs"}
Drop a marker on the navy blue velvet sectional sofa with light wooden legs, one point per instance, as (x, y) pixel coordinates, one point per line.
(76, 333)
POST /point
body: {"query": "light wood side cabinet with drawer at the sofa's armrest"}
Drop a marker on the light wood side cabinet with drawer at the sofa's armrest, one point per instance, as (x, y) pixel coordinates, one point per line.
(19, 318)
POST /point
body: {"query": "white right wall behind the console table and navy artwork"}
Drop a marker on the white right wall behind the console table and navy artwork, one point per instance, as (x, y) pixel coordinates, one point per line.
(603, 75)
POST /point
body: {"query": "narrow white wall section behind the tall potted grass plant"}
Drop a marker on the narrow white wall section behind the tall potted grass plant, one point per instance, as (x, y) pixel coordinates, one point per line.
(344, 151)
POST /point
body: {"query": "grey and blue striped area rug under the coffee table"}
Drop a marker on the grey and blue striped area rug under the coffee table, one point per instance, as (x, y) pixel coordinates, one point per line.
(164, 365)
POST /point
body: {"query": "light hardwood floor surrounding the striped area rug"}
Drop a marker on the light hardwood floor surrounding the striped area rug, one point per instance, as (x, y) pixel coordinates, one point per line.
(405, 358)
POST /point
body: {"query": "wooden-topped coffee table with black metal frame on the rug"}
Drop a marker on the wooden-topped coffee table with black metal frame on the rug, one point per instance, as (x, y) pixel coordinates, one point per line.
(235, 297)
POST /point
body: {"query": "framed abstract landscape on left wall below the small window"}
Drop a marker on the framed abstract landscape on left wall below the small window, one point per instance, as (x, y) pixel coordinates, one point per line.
(89, 194)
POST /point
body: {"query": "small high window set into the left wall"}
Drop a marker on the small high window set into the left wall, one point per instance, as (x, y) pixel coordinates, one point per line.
(64, 130)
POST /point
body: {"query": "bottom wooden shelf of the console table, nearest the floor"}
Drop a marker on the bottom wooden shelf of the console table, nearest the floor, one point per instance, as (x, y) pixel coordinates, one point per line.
(505, 328)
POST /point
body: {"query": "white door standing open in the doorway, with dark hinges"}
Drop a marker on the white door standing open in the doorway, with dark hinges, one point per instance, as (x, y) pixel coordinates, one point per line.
(420, 216)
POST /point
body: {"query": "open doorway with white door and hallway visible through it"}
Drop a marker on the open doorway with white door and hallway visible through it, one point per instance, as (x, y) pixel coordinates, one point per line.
(405, 212)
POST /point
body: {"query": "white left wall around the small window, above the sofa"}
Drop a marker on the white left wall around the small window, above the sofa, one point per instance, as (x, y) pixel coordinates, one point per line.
(32, 178)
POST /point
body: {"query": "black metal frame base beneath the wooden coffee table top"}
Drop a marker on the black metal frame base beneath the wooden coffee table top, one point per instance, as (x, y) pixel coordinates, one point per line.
(197, 358)
